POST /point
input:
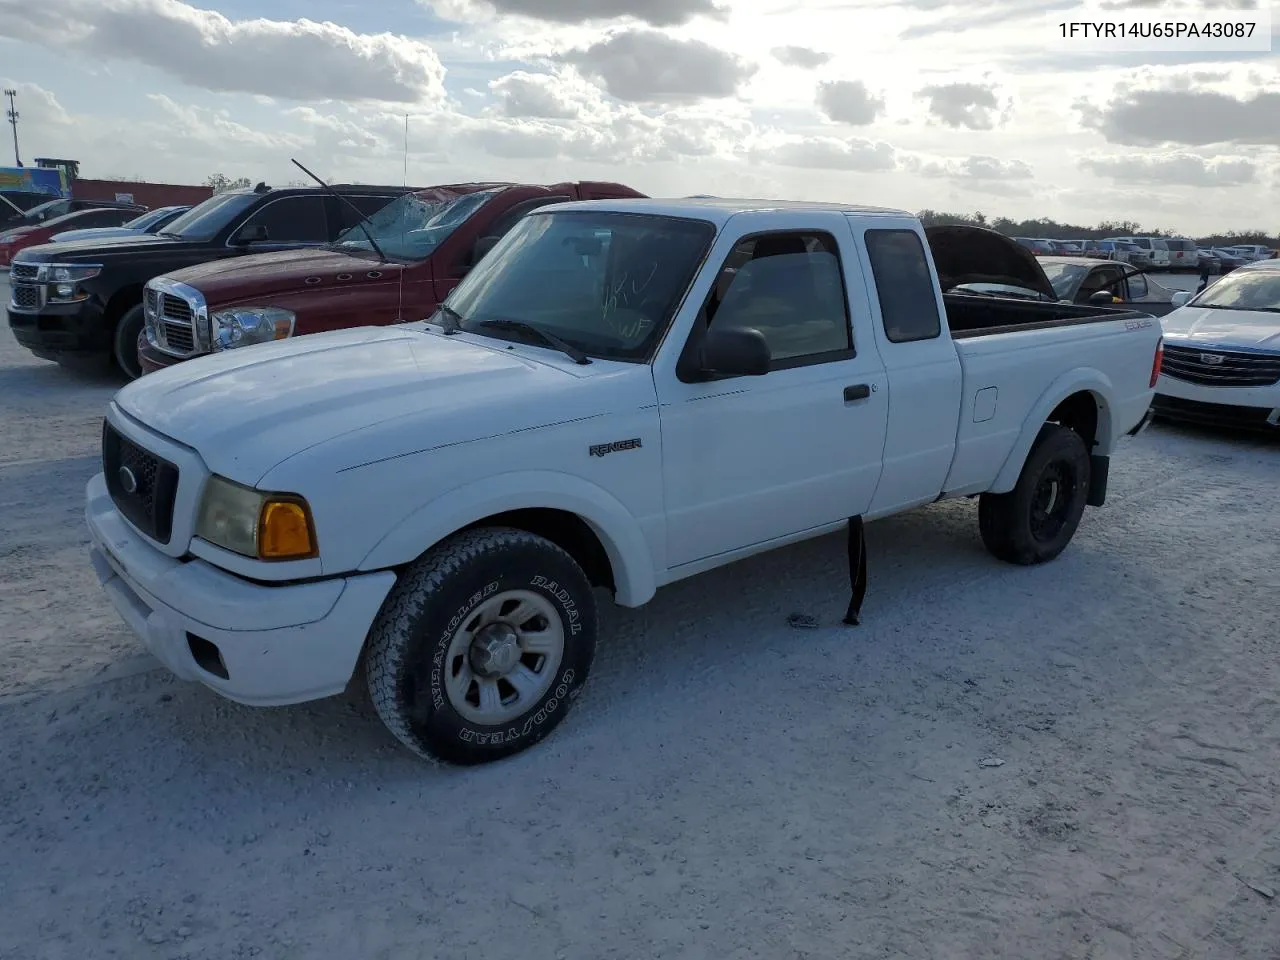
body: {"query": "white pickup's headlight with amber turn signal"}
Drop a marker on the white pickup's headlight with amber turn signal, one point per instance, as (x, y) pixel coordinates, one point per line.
(272, 527)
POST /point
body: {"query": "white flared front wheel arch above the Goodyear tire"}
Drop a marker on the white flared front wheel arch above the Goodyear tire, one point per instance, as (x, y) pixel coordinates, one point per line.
(619, 531)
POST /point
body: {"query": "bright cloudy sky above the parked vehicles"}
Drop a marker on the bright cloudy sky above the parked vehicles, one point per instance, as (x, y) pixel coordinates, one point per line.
(968, 106)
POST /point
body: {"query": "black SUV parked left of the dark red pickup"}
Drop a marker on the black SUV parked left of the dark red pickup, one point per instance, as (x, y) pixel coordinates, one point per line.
(83, 301)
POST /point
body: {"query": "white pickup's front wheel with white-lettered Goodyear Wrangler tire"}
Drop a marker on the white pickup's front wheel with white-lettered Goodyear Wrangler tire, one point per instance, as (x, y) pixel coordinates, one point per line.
(482, 647)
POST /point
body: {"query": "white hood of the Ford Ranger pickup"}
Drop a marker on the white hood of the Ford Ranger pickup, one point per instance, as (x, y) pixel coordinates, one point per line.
(249, 410)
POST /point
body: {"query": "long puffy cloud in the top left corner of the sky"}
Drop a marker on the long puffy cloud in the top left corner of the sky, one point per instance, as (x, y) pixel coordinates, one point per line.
(292, 60)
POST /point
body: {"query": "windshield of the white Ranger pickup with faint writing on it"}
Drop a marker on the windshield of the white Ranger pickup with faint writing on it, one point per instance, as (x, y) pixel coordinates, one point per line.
(607, 284)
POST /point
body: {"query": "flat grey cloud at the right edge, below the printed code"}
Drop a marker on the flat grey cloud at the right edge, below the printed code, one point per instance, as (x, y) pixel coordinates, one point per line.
(1191, 118)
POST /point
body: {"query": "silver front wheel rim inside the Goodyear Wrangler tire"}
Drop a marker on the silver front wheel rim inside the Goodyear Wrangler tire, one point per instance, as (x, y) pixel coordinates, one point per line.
(490, 683)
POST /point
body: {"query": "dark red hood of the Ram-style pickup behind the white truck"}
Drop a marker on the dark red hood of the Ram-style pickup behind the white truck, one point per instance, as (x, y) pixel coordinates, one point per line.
(281, 272)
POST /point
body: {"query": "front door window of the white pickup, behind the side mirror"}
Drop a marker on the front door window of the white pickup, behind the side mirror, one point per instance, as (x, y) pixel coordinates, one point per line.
(789, 287)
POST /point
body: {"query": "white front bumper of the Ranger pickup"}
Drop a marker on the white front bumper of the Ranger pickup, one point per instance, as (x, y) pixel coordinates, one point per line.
(258, 646)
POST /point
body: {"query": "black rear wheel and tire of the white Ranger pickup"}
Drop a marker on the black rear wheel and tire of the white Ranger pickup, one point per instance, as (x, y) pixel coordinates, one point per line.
(1036, 520)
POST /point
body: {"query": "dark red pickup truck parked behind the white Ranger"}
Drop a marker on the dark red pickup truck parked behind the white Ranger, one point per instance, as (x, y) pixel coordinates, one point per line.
(423, 245)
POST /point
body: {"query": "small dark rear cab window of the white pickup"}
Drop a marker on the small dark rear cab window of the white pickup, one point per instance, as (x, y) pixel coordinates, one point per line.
(906, 286)
